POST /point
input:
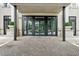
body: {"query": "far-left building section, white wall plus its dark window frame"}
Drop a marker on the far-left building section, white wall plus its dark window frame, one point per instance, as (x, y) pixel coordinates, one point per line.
(5, 14)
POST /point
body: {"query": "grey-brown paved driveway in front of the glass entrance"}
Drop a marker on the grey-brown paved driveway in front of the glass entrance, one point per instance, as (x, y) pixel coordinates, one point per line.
(39, 46)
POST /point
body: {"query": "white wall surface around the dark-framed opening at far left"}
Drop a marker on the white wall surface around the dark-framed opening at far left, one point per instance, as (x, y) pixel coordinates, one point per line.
(3, 12)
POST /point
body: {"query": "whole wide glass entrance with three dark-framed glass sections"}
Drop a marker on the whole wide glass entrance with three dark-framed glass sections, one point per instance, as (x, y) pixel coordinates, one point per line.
(39, 25)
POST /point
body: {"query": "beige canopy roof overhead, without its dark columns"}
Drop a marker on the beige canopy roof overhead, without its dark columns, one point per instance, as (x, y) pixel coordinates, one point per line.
(40, 7)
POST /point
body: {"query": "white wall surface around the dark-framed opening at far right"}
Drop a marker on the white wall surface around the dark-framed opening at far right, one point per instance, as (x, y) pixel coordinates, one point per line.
(73, 12)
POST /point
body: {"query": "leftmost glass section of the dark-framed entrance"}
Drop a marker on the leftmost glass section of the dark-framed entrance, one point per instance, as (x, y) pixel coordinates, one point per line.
(27, 26)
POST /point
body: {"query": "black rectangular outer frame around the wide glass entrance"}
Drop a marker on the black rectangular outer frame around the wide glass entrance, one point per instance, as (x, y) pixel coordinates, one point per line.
(46, 21)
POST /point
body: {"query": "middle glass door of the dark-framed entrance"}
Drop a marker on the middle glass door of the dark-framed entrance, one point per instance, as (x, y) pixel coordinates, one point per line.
(39, 26)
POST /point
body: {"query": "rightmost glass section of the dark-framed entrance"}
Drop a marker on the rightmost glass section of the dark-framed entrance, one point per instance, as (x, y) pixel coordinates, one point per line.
(51, 25)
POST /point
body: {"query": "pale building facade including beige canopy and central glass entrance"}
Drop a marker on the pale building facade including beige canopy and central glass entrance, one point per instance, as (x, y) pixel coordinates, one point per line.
(41, 19)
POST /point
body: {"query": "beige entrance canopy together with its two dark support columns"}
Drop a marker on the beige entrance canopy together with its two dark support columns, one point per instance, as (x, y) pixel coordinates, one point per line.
(39, 8)
